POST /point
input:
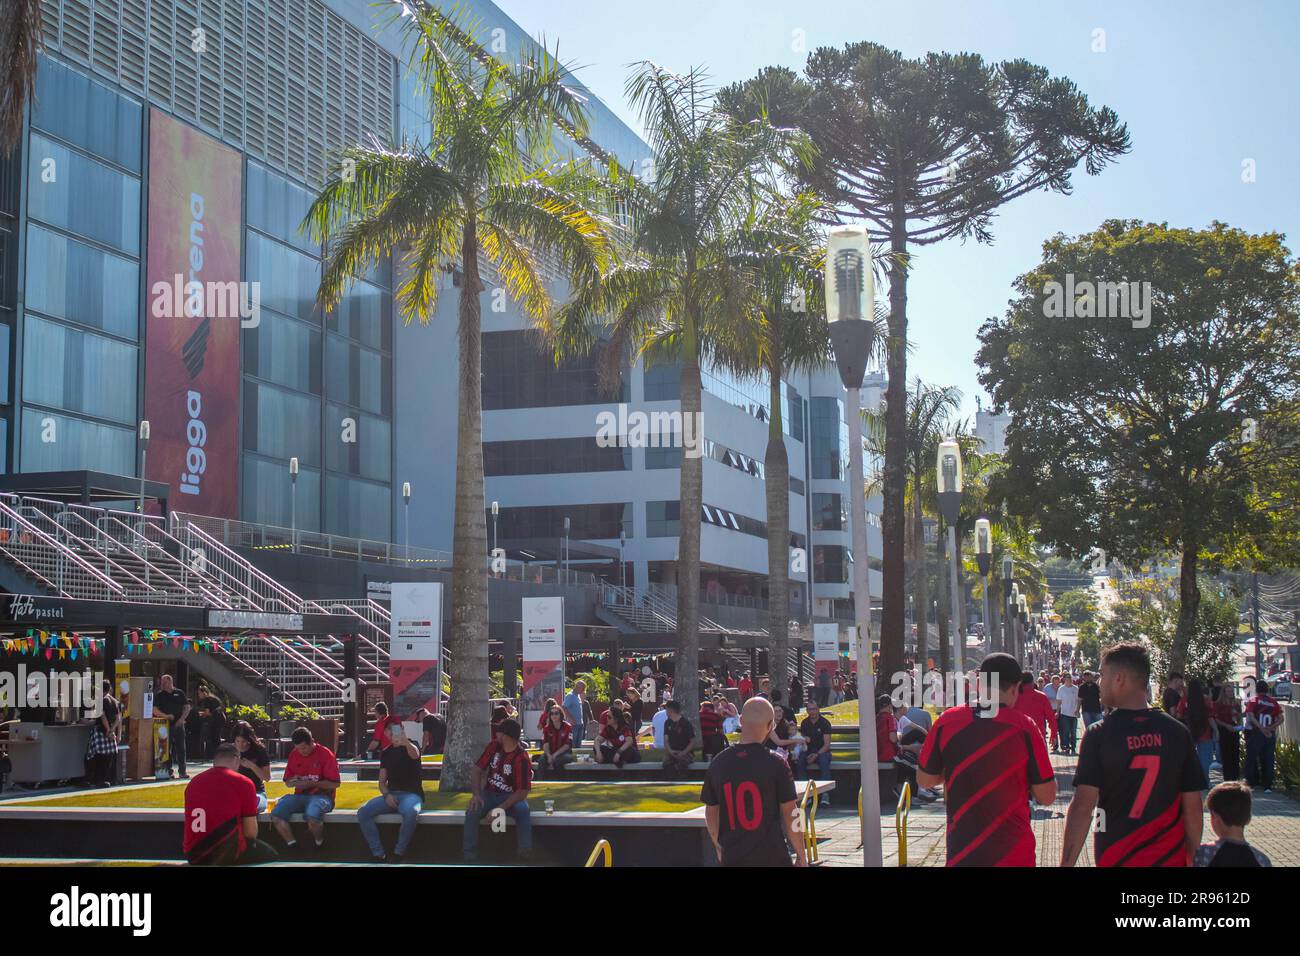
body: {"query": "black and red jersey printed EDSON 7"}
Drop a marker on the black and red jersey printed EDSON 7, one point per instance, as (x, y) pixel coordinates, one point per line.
(1142, 763)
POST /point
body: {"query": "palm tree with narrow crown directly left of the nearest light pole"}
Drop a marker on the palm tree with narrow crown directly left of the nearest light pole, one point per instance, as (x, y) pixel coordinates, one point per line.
(782, 253)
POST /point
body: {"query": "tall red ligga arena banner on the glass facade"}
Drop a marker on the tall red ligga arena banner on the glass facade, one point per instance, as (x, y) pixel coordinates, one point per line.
(192, 364)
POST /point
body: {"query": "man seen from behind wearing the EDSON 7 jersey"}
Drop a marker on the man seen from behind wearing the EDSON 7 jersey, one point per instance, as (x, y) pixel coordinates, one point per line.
(1139, 768)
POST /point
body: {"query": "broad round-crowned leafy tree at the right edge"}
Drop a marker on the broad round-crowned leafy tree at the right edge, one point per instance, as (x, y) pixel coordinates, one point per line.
(1128, 432)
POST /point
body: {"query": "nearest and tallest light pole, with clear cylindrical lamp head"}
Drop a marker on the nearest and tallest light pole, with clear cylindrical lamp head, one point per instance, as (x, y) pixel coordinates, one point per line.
(850, 306)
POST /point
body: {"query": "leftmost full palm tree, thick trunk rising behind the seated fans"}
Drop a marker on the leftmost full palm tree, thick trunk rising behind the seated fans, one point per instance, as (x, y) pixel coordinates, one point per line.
(488, 187)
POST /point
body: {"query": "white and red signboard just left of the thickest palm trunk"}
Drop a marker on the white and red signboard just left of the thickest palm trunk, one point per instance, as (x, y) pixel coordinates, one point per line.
(415, 647)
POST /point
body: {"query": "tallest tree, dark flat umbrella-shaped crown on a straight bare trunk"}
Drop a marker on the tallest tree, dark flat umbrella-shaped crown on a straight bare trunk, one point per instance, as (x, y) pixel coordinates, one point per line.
(924, 152)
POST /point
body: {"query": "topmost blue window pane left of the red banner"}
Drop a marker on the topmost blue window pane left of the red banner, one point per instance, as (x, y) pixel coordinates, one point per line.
(80, 111)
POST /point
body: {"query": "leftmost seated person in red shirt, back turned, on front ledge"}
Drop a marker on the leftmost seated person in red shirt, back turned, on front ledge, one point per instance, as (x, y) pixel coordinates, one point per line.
(222, 816)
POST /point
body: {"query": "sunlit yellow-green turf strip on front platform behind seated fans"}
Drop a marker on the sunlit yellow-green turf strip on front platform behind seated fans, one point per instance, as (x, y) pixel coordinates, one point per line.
(639, 798)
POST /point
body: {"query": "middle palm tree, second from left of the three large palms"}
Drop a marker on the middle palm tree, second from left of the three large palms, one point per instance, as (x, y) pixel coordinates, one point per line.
(678, 295)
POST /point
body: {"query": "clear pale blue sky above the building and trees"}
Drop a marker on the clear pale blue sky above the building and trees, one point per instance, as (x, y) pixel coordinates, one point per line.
(1202, 85)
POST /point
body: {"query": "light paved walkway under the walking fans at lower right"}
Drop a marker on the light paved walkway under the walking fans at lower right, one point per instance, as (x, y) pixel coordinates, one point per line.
(1276, 829)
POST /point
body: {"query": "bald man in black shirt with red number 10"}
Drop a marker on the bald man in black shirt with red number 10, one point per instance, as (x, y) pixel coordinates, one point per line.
(749, 798)
